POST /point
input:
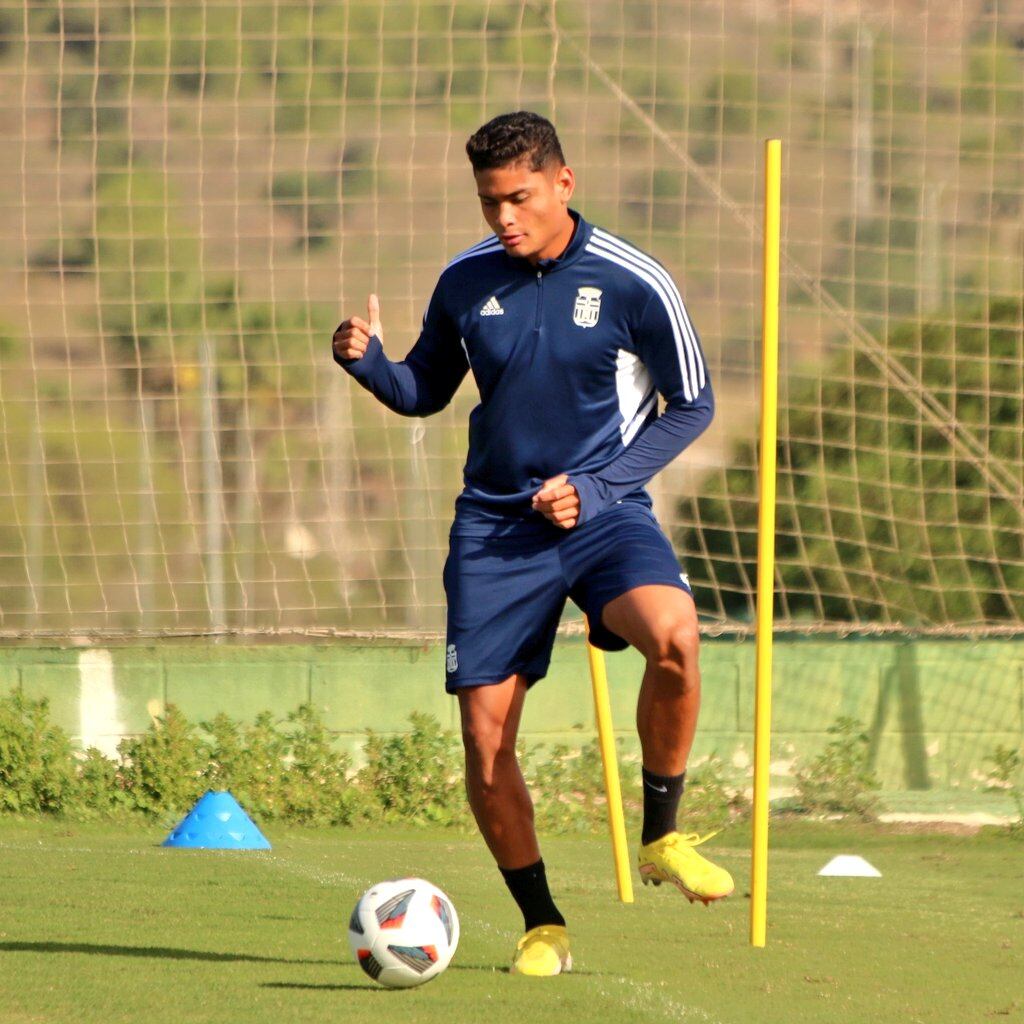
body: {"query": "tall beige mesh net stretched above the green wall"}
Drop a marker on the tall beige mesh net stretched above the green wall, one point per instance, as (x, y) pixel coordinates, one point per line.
(198, 193)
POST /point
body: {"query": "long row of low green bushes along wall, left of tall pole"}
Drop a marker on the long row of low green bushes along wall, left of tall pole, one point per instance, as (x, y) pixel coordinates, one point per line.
(291, 772)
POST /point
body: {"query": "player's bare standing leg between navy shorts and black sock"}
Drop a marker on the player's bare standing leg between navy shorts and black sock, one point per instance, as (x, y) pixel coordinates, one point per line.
(497, 792)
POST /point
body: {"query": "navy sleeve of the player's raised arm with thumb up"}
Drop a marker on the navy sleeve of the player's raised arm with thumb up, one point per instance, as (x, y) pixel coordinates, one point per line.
(424, 382)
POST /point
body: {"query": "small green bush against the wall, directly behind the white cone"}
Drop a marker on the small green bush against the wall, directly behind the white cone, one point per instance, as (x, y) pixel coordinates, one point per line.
(840, 781)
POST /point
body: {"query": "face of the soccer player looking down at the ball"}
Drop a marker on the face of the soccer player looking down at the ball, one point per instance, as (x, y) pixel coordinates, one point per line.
(527, 209)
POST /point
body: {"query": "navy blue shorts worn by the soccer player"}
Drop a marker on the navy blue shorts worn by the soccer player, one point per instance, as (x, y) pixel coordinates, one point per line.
(506, 593)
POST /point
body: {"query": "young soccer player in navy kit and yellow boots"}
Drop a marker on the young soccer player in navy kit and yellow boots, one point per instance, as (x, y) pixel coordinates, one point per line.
(571, 333)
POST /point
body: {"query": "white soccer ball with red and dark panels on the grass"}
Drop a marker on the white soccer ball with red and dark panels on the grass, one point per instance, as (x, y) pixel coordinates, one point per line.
(404, 932)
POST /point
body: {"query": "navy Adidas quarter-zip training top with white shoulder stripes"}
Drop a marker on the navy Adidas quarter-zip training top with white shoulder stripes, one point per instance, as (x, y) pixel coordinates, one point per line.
(569, 358)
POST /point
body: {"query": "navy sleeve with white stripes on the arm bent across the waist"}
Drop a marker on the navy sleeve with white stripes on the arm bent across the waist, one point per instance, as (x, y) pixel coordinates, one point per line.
(670, 349)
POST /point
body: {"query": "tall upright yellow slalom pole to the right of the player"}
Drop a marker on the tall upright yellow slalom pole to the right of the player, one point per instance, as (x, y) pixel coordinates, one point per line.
(766, 542)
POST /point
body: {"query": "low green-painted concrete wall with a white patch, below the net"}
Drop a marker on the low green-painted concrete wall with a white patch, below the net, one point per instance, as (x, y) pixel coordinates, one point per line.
(934, 709)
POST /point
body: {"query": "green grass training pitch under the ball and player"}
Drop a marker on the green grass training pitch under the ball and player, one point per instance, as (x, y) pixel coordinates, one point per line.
(100, 925)
